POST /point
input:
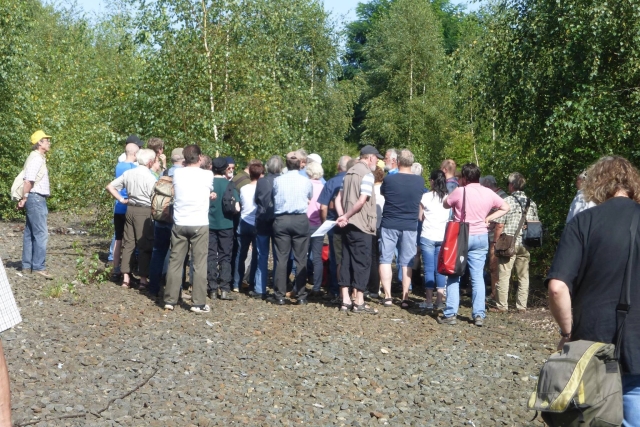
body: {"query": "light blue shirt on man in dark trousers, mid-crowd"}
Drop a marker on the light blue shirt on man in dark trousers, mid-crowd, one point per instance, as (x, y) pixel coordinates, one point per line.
(291, 193)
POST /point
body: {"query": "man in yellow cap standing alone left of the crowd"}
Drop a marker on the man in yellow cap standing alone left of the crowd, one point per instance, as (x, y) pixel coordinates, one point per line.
(34, 201)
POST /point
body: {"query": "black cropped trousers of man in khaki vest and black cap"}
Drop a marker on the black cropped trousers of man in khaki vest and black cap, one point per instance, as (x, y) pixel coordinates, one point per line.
(356, 258)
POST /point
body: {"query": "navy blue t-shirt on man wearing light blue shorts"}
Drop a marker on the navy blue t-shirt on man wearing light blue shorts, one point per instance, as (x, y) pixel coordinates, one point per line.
(402, 195)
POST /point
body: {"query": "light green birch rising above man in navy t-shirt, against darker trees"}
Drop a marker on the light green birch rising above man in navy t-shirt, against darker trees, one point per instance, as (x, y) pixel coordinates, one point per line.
(409, 100)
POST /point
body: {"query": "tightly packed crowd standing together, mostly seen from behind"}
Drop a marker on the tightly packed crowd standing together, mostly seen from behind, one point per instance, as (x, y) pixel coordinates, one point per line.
(225, 226)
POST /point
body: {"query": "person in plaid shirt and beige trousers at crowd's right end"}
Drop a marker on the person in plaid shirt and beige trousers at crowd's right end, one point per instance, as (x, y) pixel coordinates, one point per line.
(508, 224)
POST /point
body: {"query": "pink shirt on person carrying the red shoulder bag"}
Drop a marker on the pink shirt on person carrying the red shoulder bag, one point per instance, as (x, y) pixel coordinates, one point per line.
(480, 201)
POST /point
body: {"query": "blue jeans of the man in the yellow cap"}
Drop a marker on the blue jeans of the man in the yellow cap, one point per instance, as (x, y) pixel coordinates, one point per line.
(36, 234)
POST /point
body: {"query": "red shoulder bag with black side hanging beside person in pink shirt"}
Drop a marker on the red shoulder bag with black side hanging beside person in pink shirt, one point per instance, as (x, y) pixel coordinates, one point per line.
(452, 259)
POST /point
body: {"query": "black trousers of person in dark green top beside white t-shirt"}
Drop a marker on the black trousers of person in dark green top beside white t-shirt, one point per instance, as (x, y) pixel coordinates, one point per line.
(219, 260)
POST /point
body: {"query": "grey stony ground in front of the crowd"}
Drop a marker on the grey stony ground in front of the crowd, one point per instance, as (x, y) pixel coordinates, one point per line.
(108, 356)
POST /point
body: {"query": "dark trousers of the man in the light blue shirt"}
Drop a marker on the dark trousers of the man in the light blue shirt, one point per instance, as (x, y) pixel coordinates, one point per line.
(291, 232)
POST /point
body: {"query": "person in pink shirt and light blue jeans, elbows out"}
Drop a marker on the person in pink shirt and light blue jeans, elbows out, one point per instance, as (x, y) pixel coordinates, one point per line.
(472, 203)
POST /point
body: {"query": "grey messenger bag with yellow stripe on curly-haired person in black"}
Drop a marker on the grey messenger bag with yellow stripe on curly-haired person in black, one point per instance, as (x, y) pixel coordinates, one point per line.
(581, 384)
